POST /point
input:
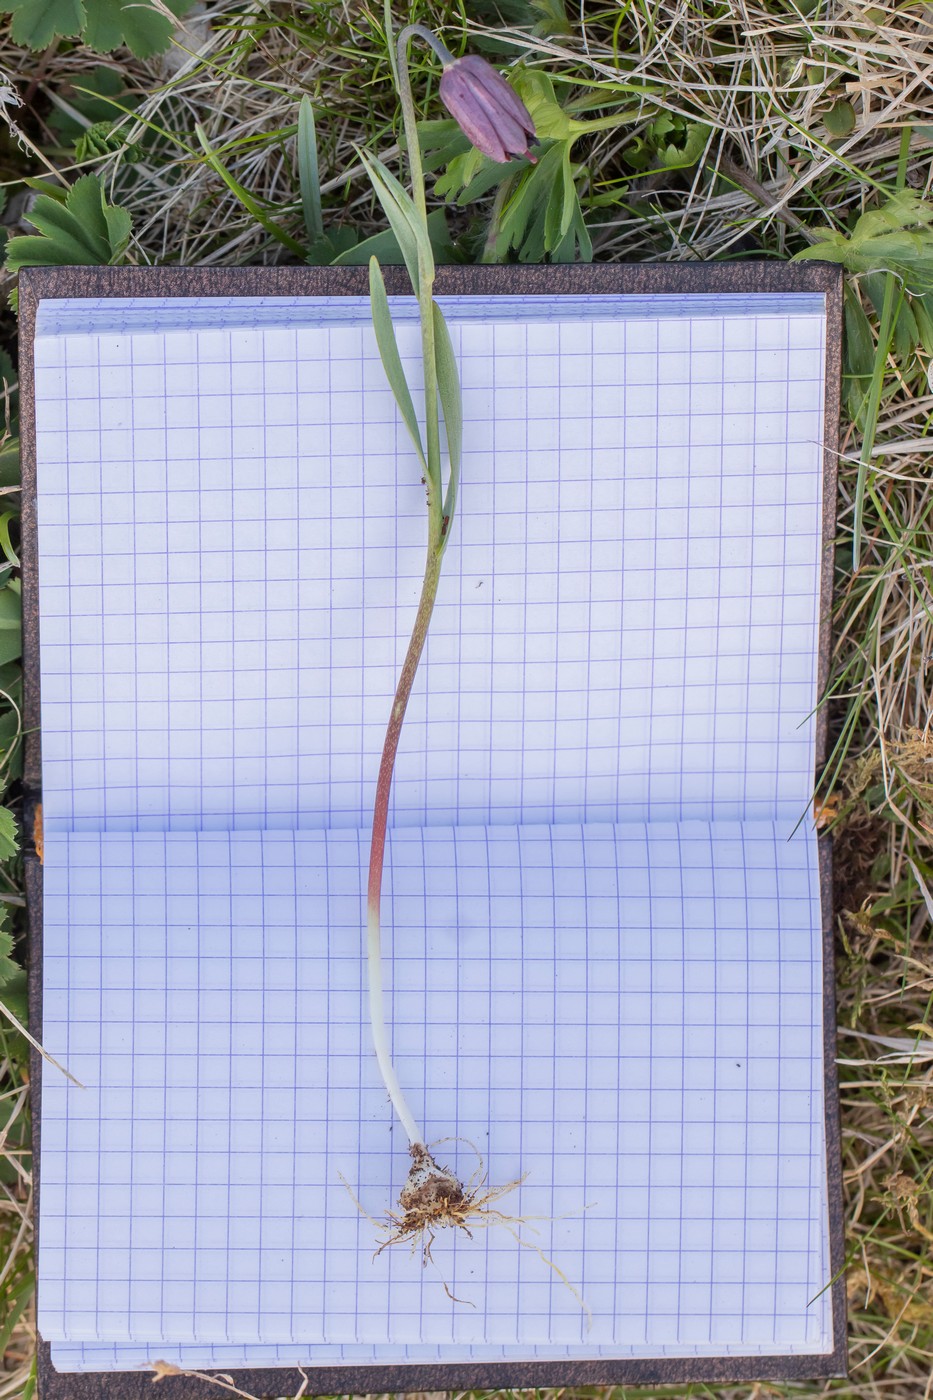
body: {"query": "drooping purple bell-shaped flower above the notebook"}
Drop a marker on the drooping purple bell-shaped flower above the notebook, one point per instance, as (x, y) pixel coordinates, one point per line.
(487, 110)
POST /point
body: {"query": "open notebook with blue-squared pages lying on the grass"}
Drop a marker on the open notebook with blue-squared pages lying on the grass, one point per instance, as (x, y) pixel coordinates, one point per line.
(604, 930)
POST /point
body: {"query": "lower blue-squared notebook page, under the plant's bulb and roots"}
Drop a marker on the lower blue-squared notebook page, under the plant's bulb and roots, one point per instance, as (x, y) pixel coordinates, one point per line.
(628, 1016)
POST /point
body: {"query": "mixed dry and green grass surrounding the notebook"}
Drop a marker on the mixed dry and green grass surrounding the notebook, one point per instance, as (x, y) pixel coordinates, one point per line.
(746, 128)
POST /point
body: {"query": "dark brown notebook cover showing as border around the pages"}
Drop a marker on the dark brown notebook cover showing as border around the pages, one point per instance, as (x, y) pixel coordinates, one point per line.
(684, 279)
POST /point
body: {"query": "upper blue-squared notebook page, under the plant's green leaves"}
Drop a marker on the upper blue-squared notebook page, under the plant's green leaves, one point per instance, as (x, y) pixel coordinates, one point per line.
(232, 538)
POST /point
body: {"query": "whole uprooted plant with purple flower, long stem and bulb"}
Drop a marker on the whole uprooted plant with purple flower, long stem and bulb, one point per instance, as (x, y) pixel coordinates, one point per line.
(499, 125)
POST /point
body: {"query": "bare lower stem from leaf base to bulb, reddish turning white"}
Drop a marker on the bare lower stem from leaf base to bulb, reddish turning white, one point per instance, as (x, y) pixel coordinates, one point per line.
(378, 848)
